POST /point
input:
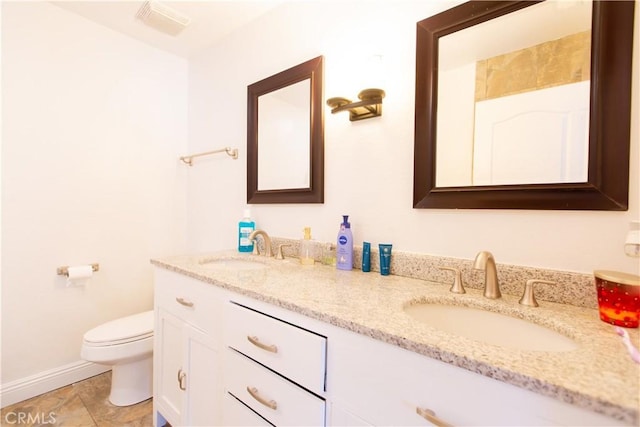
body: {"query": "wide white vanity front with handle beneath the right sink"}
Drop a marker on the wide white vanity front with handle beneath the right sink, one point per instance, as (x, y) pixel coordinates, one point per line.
(386, 385)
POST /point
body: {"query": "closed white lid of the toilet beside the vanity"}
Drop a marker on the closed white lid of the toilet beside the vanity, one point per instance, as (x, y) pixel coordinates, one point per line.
(125, 329)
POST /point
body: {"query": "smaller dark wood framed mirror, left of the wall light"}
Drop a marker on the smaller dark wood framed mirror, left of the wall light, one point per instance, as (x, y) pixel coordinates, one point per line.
(285, 136)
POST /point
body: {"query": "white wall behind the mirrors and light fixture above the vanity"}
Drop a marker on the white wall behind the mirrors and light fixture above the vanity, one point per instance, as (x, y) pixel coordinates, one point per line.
(369, 164)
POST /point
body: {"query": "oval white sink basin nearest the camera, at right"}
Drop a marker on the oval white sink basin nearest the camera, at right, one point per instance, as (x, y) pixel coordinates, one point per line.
(490, 328)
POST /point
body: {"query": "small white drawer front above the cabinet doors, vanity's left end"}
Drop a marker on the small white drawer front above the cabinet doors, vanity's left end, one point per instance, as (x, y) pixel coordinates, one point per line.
(190, 300)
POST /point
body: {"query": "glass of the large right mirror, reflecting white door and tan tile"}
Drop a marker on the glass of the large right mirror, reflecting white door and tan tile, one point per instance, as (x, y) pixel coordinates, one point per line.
(521, 98)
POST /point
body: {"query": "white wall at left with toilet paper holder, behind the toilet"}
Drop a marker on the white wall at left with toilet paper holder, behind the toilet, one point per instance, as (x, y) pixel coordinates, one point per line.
(93, 125)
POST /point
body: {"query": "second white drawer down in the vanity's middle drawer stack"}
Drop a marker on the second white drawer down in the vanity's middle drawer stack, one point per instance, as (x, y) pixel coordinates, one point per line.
(276, 399)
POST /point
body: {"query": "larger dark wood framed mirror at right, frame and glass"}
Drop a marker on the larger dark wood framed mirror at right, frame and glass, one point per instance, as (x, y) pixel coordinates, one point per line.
(524, 105)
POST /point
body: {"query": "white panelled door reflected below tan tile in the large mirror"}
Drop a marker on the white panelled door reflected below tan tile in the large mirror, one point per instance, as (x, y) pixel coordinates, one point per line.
(537, 137)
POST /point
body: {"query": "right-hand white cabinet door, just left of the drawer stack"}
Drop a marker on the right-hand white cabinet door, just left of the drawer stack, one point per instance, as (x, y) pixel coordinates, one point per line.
(202, 382)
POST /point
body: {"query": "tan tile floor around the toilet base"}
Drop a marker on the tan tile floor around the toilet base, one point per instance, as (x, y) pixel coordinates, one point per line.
(83, 404)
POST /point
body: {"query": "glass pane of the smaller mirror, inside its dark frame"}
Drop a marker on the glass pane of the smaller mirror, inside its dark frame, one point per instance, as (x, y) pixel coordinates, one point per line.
(283, 131)
